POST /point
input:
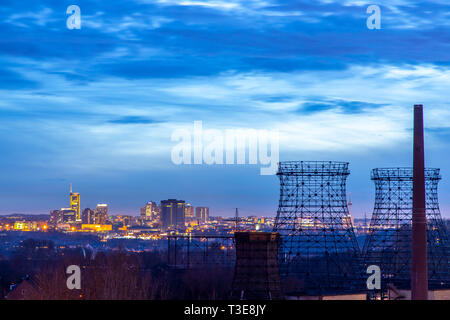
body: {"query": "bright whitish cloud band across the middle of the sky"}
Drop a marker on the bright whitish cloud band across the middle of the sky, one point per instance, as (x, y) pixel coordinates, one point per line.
(230, 100)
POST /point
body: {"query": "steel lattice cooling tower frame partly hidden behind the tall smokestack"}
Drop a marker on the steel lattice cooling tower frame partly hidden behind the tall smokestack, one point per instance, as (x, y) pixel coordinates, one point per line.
(388, 243)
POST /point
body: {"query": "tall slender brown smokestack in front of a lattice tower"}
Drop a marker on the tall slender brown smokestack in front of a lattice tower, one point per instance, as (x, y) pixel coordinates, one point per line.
(419, 272)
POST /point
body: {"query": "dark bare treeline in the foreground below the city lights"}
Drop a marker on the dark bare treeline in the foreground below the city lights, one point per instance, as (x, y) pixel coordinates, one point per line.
(114, 274)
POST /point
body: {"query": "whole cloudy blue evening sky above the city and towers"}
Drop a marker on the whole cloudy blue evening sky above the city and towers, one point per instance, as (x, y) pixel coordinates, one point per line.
(98, 106)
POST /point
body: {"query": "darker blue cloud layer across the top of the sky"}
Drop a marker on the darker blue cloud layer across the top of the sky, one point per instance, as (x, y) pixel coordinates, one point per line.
(172, 39)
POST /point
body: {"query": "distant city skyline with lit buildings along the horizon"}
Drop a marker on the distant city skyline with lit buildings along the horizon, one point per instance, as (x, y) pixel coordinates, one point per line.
(154, 221)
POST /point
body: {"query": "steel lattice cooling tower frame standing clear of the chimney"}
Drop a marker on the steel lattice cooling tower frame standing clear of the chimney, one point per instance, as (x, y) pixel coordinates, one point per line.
(318, 245)
